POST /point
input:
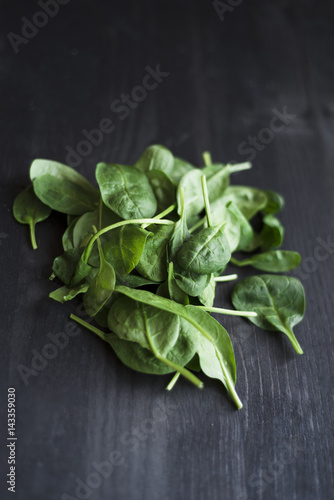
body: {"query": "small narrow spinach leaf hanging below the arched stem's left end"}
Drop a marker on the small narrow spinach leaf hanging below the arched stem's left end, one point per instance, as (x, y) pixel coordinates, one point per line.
(101, 287)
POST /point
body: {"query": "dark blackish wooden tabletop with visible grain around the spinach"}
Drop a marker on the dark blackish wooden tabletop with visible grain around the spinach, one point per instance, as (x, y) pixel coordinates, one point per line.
(225, 79)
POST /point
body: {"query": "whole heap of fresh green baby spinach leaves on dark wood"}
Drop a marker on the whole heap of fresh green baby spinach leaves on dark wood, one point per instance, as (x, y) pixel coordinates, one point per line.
(148, 247)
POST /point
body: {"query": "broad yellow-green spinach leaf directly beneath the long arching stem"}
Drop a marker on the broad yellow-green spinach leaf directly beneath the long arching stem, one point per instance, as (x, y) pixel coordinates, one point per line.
(125, 248)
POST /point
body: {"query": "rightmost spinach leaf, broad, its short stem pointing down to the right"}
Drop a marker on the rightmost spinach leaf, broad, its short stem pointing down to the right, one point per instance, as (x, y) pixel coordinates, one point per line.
(279, 302)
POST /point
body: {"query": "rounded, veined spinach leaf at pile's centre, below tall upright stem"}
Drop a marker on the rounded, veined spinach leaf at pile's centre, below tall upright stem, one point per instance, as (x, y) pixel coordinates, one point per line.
(205, 252)
